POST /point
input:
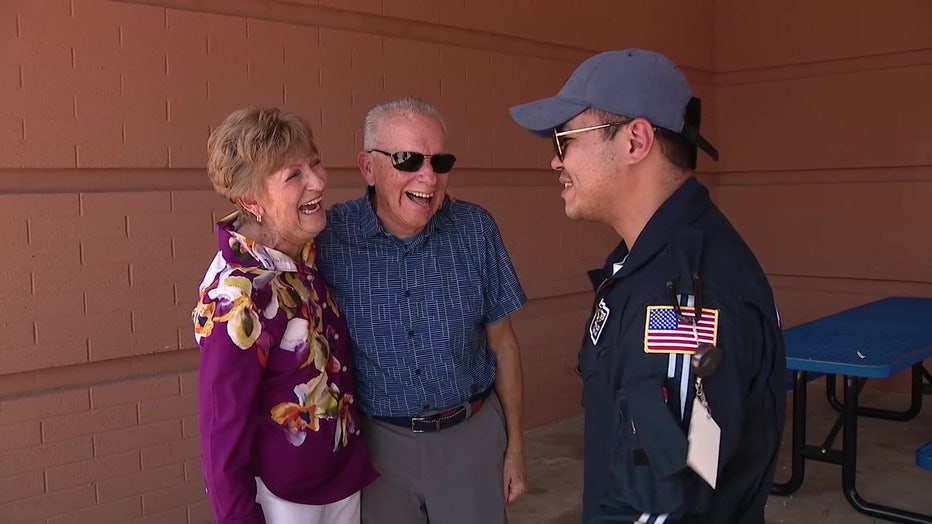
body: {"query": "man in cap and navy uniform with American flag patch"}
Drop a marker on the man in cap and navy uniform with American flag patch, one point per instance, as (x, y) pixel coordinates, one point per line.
(682, 359)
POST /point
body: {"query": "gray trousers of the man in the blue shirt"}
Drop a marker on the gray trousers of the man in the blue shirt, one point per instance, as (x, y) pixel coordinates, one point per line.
(452, 476)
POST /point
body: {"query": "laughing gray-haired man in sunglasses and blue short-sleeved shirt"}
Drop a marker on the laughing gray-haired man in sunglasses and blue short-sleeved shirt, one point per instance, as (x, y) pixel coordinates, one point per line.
(428, 289)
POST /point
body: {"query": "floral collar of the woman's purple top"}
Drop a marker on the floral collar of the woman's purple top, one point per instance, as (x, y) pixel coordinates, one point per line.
(243, 252)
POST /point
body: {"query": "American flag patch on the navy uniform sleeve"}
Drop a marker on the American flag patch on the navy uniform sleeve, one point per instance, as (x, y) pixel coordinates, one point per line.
(665, 333)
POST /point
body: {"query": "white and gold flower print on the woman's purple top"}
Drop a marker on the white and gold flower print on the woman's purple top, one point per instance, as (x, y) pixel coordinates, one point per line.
(231, 297)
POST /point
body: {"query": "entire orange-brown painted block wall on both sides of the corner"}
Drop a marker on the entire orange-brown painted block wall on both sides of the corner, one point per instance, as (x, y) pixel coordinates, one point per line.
(105, 107)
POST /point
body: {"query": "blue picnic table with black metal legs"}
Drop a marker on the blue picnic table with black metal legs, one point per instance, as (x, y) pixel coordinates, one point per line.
(875, 340)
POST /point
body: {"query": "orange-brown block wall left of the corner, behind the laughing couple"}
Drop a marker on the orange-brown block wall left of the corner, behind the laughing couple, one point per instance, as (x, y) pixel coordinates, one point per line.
(104, 111)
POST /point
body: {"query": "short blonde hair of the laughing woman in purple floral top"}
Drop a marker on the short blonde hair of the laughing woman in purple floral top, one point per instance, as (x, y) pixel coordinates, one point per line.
(251, 144)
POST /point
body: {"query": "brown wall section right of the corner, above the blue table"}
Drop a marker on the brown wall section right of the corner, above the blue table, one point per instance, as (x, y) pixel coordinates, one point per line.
(823, 120)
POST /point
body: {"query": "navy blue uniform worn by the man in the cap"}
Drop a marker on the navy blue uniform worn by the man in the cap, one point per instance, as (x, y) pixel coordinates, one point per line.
(638, 403)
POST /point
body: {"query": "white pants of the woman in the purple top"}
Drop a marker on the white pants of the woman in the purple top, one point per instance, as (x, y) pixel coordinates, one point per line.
(281, 511)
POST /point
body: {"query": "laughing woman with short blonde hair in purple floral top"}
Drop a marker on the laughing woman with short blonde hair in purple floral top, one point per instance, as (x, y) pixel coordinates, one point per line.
(279, 429)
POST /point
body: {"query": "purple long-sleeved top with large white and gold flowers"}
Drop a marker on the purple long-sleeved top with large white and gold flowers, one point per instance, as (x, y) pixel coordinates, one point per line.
(275, 388)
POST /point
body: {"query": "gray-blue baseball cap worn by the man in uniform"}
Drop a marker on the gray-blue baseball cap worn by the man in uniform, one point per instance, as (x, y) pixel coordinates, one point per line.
(632, 82)
